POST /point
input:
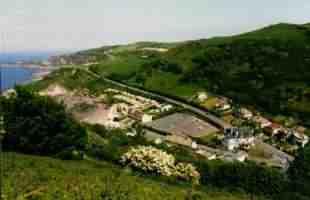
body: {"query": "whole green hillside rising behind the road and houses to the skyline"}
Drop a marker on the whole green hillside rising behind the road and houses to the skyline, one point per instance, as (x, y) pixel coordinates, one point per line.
(269, 68)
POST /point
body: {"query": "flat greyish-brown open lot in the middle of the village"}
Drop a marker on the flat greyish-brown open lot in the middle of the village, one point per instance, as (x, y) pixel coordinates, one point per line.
(182, 124)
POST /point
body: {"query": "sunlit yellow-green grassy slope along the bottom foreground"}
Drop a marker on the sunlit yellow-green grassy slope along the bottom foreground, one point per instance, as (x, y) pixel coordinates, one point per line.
(32, 177)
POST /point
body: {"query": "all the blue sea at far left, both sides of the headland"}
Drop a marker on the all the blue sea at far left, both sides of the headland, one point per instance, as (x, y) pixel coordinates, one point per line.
(11, 75)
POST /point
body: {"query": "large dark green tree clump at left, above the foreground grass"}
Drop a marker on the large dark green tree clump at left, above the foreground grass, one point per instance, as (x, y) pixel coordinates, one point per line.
(39, 125)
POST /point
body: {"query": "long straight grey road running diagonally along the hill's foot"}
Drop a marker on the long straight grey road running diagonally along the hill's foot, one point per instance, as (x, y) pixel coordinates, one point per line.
(211, 118)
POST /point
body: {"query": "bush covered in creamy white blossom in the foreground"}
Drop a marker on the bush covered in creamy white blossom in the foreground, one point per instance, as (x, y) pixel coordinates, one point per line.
(150, 159)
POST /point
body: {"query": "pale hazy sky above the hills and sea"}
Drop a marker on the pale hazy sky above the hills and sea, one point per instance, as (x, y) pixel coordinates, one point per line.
(28, 25)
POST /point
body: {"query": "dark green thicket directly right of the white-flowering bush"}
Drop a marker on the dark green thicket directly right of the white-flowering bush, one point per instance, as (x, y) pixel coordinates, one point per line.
(249, 177)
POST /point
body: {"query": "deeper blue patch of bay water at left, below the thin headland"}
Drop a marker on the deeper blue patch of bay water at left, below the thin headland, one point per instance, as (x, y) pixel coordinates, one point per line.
(13, 75)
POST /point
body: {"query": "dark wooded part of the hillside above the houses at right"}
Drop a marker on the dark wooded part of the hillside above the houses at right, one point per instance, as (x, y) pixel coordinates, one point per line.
(270, 73)
